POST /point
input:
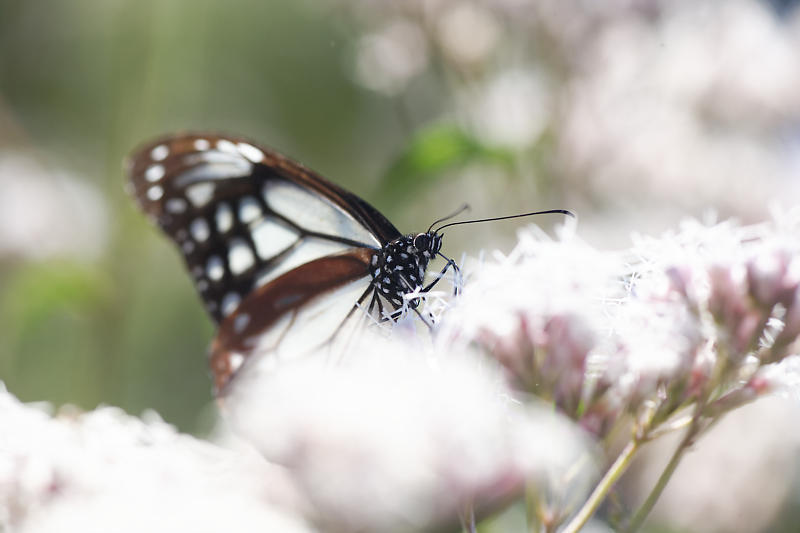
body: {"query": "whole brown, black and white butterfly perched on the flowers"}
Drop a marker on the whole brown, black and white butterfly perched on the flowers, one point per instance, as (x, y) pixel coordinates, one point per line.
(282, 258)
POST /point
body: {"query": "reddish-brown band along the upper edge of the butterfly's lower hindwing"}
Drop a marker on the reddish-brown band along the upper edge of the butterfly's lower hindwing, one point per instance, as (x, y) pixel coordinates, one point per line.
(260, 311)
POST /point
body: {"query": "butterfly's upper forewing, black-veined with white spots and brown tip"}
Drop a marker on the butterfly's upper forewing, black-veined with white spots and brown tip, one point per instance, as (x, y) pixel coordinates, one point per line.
(243, 215)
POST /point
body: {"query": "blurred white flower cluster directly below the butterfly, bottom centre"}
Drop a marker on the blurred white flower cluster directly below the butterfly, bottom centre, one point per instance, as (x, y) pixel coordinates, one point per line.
(396, 438)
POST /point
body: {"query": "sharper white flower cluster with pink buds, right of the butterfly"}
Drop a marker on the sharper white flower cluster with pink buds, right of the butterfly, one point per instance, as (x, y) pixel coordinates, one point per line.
(697, 316)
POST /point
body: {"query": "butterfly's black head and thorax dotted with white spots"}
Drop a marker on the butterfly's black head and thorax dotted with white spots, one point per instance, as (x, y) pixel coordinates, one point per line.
(399, 267)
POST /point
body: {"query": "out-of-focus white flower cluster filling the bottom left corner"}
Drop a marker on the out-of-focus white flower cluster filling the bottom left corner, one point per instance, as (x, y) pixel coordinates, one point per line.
(106, 471)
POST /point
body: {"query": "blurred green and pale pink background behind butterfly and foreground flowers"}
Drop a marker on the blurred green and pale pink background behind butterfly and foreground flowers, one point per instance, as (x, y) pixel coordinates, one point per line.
(633, 113)
